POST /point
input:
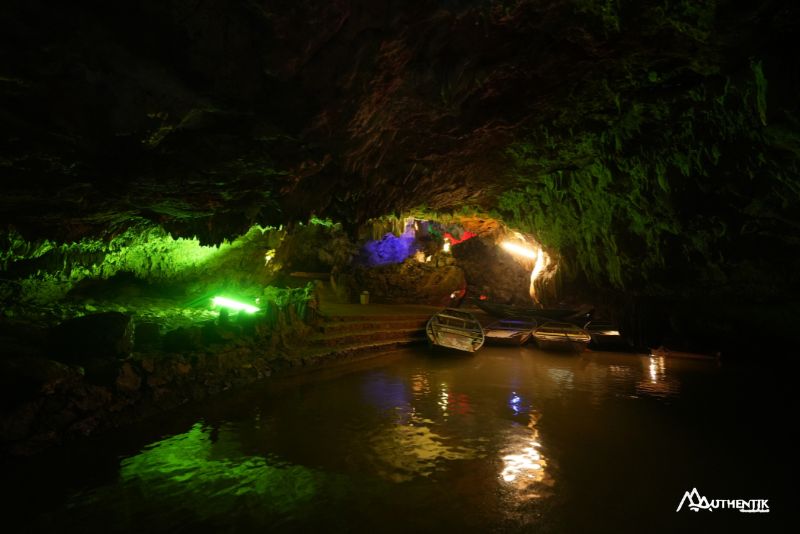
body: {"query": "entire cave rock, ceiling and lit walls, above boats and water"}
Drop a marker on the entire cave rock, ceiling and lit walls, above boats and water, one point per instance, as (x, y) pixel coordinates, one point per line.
(158, 153)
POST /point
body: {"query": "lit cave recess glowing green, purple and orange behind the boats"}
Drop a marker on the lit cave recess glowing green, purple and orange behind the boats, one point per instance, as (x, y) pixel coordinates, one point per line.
(156, 278)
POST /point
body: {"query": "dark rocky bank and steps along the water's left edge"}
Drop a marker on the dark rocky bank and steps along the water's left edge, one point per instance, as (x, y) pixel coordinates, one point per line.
(76, 393)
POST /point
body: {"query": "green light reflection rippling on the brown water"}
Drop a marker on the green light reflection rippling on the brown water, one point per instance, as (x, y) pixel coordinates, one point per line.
(204, 474)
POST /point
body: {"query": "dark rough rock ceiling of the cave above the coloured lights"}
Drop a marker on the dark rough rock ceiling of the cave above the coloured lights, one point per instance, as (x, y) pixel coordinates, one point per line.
(209, 116)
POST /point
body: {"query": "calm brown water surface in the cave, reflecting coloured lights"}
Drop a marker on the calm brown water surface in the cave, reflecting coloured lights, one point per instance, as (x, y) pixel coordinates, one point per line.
(507, 440)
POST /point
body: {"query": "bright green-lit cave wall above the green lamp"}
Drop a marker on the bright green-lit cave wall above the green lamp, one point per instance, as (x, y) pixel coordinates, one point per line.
(45, 271)
